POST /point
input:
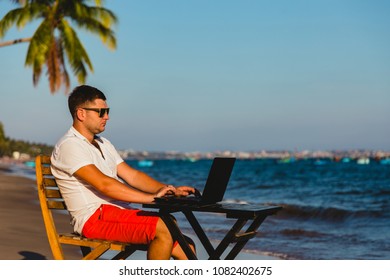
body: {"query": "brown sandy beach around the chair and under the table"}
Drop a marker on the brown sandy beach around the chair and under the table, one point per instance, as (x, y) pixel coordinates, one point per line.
(23, 235)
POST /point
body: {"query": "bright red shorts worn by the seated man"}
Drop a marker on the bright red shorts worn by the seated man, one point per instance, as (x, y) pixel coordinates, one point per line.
(126, 225)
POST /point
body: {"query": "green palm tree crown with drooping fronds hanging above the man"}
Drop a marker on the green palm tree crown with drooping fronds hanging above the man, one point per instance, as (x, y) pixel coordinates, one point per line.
(55, 38)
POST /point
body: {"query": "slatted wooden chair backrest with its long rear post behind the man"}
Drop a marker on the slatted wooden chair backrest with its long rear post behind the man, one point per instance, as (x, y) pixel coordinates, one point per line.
(50, 198)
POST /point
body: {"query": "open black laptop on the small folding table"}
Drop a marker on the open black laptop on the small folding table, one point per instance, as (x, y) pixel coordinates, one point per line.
(215, 186)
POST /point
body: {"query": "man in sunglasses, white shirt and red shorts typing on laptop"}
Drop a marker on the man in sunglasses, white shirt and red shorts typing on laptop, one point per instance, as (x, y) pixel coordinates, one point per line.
(98, 185)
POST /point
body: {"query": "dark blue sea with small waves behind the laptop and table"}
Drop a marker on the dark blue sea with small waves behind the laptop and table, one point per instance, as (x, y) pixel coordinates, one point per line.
(331, 210)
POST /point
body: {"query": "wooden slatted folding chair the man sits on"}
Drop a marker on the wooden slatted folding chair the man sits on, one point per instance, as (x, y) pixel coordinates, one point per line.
(51, 199)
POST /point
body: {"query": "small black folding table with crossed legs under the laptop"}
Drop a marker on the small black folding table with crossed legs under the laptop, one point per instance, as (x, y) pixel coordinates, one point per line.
(242, 213)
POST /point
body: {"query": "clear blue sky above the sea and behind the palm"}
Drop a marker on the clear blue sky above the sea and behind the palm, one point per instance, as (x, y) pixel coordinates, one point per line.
(214, 75)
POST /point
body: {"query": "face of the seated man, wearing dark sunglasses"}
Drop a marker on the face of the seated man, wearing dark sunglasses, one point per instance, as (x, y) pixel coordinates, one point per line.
(95, 122)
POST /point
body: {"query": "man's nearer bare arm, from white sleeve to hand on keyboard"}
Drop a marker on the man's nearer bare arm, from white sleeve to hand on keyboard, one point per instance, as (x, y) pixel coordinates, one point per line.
(115, 189)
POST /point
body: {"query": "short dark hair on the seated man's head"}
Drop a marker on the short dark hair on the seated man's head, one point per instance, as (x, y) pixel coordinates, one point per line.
(81, 95)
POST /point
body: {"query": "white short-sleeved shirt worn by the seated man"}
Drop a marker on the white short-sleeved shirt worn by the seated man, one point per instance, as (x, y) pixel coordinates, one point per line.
(72, 152)
